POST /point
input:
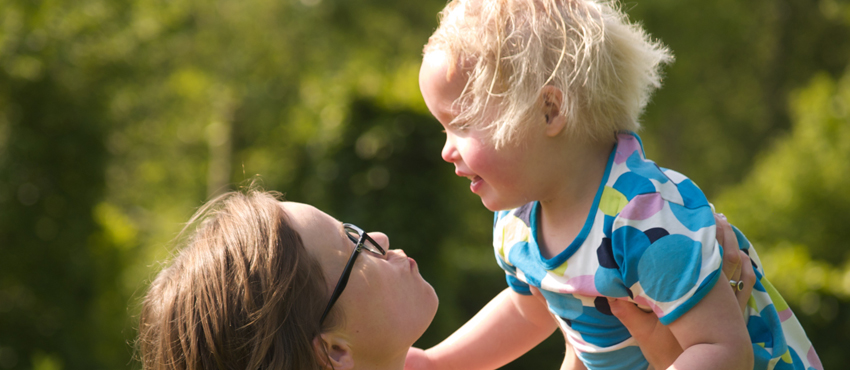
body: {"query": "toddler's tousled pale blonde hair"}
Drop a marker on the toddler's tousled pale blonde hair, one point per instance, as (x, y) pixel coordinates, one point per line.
(606, 66)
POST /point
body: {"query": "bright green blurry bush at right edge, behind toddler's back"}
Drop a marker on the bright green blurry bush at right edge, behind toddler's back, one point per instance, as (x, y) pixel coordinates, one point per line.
(794, 205)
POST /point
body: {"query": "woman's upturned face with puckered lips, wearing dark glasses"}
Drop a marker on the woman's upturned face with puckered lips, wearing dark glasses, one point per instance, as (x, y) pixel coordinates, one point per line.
(387, 305)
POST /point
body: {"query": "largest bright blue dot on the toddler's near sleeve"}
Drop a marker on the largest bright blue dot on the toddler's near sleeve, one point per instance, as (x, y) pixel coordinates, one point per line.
(669, 268)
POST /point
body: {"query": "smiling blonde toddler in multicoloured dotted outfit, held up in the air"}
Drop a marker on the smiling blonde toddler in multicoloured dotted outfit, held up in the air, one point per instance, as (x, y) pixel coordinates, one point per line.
(540, 102)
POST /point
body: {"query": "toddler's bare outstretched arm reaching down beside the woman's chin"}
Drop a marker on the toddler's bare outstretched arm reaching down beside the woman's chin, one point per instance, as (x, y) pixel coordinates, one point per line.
(507, 327)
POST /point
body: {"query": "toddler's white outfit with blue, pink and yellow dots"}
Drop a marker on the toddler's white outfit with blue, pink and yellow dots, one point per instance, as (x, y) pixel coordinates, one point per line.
(650, 241)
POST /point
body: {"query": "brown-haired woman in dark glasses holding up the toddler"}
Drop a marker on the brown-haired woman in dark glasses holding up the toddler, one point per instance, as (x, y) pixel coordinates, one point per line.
(264, 284)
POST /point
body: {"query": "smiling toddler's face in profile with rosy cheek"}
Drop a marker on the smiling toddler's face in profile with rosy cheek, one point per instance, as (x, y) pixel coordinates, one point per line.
(500, 177)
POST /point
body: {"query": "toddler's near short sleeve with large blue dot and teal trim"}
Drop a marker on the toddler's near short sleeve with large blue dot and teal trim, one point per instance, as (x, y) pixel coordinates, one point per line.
(667, 253)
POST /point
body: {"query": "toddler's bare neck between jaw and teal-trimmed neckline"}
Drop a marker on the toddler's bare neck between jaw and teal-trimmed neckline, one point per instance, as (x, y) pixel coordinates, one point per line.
(563, 215)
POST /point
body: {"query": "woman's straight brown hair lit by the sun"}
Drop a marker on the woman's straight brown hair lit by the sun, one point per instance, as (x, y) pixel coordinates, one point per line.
(243, 293)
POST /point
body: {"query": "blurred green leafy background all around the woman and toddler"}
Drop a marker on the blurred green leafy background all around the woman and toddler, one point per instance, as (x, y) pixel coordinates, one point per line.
(119, 118)
